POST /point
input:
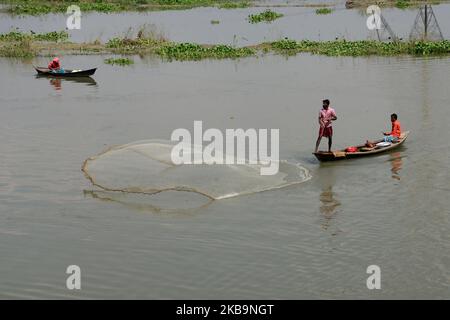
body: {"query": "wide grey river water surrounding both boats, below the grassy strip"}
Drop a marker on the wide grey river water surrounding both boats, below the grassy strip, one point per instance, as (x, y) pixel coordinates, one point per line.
(312, 240)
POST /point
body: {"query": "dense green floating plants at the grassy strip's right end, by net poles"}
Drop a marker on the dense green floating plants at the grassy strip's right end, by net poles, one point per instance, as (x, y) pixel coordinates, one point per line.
(361, 48)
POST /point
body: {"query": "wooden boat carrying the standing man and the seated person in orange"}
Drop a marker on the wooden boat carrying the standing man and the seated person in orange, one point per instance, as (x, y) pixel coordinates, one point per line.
(363, 151)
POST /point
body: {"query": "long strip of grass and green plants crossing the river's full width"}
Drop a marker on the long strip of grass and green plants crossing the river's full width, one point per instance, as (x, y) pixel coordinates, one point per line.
(16, 44)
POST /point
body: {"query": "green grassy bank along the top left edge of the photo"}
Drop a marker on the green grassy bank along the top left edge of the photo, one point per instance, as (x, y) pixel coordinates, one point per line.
(37, 7)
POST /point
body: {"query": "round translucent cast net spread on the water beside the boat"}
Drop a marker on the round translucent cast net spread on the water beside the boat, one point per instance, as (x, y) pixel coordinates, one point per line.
(146, 167)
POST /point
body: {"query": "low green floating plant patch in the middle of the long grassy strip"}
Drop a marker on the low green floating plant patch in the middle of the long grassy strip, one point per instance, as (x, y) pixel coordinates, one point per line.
(192, 51)
